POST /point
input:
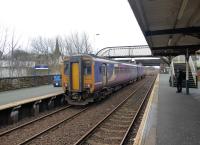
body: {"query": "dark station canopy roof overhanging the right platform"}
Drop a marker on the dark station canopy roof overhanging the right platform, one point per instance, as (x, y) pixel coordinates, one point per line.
(171, 27)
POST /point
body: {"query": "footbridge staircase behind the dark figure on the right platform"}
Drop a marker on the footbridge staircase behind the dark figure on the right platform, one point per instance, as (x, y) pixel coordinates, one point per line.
(192, 81)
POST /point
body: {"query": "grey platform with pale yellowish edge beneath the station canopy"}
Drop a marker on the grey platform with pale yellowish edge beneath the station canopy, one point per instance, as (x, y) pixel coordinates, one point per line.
(171, 118)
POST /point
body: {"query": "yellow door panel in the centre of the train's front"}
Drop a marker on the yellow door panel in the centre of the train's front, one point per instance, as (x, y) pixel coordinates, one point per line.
(75, 76)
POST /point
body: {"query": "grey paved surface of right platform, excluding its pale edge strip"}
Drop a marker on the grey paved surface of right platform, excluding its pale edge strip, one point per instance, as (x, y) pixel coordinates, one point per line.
(178, 121)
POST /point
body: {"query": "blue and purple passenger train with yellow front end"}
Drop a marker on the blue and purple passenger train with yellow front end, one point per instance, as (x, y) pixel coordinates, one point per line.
(87, 78)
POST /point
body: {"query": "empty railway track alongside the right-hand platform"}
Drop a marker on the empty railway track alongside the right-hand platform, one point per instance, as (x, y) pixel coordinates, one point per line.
(117, 125)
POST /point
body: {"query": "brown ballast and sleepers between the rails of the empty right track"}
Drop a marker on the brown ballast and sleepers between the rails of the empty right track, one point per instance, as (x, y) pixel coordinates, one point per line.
(108, 134)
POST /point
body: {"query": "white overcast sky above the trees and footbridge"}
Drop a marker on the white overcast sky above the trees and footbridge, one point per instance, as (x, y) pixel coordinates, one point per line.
(112, 19)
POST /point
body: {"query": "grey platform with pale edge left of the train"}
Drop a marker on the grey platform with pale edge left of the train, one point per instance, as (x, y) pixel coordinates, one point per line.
(22, 96)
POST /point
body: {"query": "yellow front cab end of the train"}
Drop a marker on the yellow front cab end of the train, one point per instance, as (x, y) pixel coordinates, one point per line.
(78, 80)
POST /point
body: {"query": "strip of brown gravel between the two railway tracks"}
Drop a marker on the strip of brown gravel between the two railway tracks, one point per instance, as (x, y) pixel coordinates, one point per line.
(70, 132)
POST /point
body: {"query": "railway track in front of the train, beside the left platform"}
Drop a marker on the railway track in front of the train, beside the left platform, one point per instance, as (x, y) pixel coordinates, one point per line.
(31, 134)
